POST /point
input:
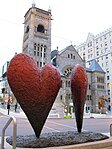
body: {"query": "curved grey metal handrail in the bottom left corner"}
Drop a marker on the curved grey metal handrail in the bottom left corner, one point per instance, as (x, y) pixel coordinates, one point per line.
(11, 118)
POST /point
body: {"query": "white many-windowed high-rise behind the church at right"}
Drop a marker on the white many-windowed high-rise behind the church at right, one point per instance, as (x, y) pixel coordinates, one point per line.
(99, 47)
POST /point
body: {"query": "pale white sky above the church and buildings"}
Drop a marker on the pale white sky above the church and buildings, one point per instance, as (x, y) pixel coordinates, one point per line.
(72, 20)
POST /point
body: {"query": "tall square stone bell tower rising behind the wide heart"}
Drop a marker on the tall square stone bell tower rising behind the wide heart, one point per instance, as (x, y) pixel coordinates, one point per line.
(37, 35)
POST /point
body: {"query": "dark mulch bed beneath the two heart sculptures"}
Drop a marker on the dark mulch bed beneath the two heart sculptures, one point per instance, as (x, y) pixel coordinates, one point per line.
(57, 139)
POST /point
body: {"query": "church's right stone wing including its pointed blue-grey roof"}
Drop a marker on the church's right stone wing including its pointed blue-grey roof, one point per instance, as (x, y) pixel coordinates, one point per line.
(96, 87)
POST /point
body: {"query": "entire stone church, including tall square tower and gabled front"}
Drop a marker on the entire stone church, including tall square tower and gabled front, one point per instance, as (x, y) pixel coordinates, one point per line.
(37, 43)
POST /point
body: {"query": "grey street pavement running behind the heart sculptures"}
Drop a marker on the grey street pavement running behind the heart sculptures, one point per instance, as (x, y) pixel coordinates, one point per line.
(101, 125)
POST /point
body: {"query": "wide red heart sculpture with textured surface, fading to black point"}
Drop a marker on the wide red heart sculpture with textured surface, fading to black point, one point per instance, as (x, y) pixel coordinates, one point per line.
(35, 89)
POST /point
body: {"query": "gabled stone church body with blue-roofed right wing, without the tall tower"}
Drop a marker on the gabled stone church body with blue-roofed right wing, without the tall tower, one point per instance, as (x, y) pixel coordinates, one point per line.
(65, 60)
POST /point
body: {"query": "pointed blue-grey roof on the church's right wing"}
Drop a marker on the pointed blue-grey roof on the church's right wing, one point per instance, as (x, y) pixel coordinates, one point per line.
(96, 67)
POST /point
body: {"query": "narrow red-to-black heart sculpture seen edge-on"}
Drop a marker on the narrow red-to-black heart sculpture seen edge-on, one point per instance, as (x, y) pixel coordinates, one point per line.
(79, 84)
